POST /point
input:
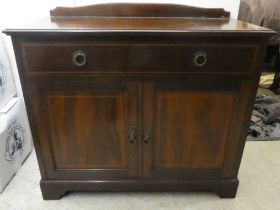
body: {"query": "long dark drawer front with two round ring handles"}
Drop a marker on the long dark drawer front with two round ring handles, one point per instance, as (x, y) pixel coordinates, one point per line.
(137, 58)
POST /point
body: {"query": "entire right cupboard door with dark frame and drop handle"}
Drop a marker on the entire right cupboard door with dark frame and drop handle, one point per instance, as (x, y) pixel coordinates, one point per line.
(188, 128)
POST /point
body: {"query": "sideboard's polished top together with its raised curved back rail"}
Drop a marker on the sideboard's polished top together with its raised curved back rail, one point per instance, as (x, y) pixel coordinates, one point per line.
(140, 18)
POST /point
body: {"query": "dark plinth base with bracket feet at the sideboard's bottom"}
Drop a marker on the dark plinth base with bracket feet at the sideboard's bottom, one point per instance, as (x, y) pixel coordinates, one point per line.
(55, 189)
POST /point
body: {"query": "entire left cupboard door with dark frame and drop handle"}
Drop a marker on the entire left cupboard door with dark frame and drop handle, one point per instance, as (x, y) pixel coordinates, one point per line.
(87, 129)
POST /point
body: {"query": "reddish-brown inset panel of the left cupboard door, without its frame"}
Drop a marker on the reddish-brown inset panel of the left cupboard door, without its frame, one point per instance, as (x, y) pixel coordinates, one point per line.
(90, 129)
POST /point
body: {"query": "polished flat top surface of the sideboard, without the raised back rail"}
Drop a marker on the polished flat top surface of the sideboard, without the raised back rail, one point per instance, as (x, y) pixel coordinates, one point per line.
(130, 24)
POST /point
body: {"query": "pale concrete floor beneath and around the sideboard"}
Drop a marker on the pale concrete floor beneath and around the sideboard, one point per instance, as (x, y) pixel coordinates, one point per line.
(259, 189)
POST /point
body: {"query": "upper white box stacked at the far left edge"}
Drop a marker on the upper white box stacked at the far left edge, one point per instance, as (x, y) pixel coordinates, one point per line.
(7, 86)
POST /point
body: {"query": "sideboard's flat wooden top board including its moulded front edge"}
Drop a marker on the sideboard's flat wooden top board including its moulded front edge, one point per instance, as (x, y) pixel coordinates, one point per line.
(140, 26)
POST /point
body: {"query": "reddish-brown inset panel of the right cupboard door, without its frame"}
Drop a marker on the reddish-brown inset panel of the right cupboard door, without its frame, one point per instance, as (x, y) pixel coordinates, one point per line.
(191, 138)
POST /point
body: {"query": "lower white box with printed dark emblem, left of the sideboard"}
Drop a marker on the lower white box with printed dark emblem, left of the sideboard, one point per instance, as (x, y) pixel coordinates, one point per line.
(15, 140)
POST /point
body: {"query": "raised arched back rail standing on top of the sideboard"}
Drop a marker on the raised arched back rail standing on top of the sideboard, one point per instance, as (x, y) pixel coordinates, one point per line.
(139, 10)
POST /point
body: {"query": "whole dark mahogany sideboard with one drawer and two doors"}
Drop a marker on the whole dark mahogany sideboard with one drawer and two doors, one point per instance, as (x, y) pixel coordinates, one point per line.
(129, 97)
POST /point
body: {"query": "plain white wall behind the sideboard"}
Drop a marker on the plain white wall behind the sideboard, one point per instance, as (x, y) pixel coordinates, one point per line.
(15, 12)
